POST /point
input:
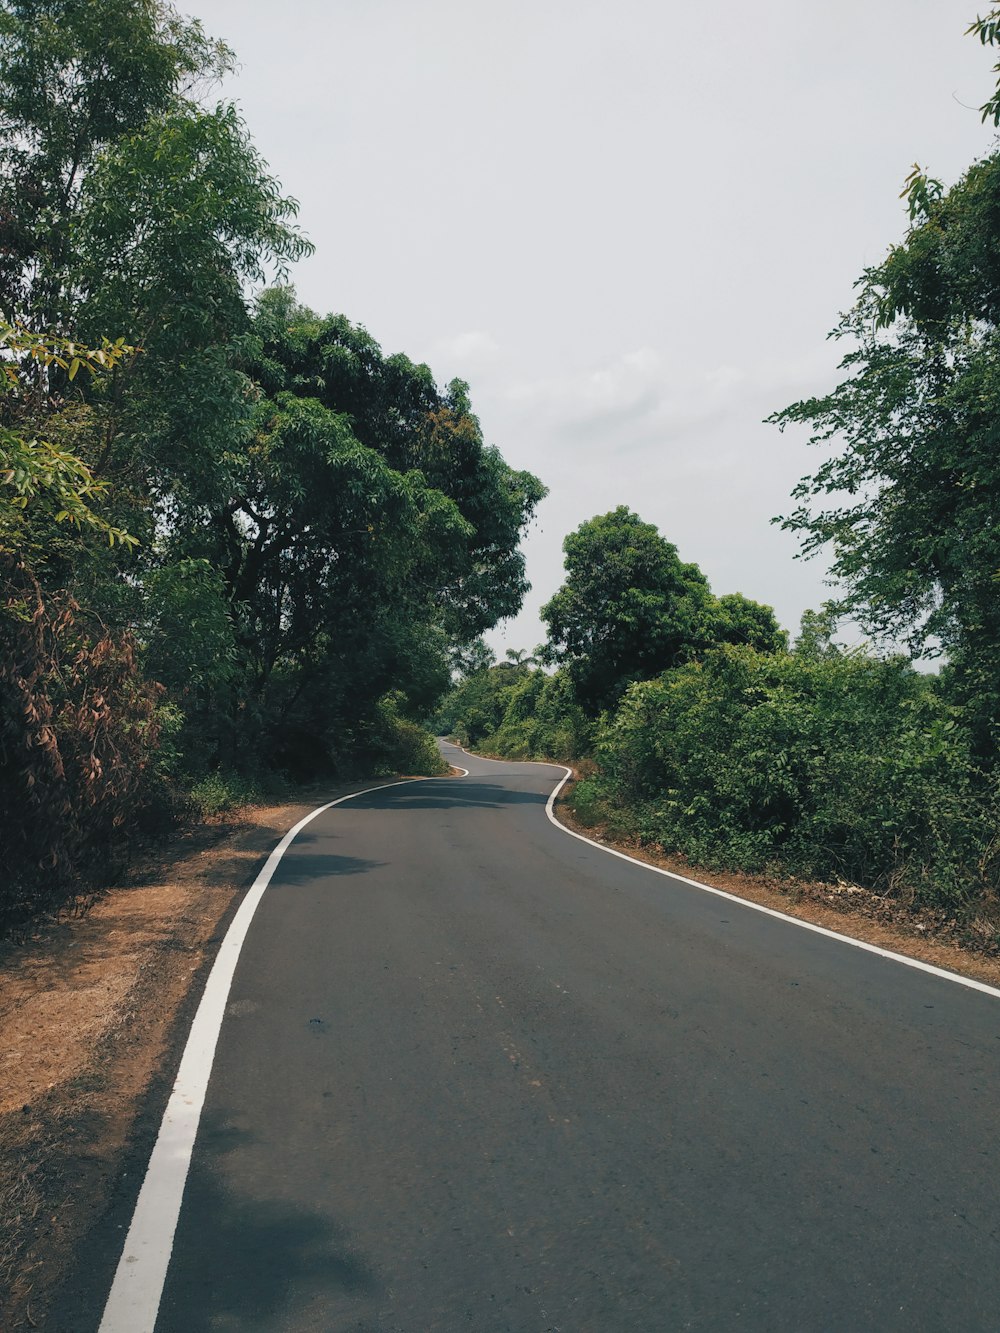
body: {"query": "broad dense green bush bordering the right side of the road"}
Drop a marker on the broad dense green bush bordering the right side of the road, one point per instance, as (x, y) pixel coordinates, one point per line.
(826, 767)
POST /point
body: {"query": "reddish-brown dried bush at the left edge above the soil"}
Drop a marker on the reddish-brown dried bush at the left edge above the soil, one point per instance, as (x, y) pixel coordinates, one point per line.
(78, 738)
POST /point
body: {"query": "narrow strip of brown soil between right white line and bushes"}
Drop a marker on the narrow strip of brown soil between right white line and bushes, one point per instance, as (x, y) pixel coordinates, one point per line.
(969, 947)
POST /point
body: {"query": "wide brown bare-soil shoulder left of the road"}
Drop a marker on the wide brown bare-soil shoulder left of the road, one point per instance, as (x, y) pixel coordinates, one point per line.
(87, 1008)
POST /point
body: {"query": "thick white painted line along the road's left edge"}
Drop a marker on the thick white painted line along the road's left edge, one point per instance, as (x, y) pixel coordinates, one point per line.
(135, 1295)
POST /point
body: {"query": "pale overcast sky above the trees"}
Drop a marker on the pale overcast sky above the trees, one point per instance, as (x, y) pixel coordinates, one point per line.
(630, 226)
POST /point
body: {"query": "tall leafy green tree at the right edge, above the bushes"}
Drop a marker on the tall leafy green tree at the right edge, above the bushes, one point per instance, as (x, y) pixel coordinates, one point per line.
(909, 503)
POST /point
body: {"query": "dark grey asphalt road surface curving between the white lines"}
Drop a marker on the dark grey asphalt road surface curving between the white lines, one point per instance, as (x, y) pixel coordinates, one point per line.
(478, 1074)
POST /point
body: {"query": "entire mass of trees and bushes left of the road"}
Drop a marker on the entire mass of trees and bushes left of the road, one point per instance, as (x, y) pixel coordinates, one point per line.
(239, 543)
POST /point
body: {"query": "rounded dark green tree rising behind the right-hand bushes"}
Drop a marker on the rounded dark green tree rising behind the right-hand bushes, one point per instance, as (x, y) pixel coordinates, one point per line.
(630, 609)
